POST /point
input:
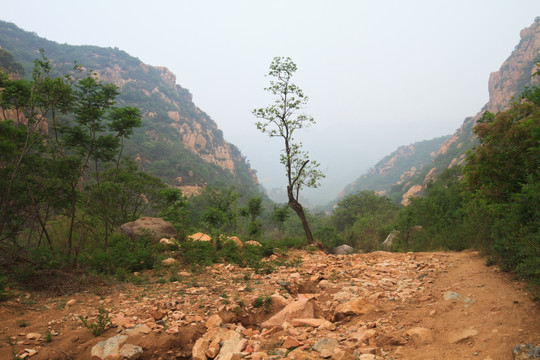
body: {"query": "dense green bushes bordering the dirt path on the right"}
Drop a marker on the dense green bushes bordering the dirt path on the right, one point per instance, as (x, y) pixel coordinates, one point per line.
(491, 204)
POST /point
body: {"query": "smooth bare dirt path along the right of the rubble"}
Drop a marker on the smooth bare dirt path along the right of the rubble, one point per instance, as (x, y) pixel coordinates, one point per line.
(486, 314)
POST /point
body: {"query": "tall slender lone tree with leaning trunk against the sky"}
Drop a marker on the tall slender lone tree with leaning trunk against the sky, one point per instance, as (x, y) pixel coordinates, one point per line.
(282, 119)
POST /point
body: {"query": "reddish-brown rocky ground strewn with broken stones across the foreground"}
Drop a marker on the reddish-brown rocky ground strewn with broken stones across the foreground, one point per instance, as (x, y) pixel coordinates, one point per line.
(363, 306)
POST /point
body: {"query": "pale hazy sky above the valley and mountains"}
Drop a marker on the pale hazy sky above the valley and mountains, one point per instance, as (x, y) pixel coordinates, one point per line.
(379, 74)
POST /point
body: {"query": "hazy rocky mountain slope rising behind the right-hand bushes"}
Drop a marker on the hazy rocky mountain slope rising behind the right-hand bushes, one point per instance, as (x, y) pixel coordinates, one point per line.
(406, 171)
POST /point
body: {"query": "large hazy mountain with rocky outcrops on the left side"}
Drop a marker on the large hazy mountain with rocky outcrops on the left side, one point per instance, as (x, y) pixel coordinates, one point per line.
(177, 142)
